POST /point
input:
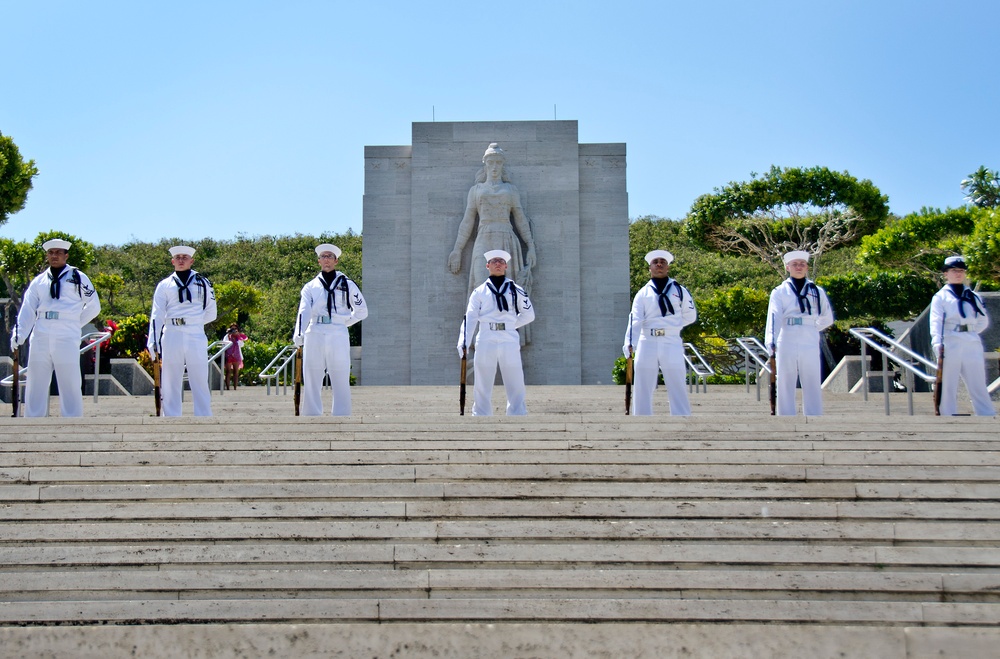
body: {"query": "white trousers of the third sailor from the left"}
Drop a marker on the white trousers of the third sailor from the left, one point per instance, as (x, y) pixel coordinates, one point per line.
(326, 351)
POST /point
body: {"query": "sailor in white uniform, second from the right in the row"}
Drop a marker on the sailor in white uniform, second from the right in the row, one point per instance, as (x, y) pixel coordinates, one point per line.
(797, 312)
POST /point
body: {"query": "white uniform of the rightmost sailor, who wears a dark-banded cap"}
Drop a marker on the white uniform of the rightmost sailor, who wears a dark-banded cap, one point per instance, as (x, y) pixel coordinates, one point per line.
(957, 320)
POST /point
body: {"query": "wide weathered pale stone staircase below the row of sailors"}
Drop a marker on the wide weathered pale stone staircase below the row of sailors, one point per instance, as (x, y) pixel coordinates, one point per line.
(409, 527)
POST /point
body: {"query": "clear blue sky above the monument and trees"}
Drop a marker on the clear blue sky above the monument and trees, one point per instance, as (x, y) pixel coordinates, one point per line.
(189, 120)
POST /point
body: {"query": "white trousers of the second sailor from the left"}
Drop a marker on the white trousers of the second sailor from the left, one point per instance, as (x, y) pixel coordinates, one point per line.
(185, 348)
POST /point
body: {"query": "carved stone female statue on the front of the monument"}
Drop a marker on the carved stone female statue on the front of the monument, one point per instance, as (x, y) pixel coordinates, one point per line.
(495, 200)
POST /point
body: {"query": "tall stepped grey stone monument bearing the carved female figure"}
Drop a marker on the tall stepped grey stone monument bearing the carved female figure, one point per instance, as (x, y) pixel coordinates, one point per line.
(559, 207)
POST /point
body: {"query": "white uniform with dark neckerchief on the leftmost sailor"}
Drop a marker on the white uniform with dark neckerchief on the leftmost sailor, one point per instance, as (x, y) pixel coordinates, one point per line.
(54, 310)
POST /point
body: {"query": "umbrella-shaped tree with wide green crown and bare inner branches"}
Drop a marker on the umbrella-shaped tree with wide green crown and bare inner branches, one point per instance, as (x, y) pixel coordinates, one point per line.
(813, 209)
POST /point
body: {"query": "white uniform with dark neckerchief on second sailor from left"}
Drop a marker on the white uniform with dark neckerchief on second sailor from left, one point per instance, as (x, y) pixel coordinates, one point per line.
(177, 333)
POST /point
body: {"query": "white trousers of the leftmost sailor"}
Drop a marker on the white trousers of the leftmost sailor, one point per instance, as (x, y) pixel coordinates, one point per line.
(51, 351)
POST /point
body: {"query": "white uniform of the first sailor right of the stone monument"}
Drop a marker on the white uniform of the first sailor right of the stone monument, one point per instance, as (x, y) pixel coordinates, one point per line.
(654, 330)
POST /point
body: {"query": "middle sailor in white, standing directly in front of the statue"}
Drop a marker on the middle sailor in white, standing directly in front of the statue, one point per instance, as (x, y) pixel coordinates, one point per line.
(498, 306)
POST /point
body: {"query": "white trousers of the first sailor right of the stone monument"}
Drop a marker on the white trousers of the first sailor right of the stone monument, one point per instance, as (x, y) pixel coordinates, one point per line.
(654, 355)
